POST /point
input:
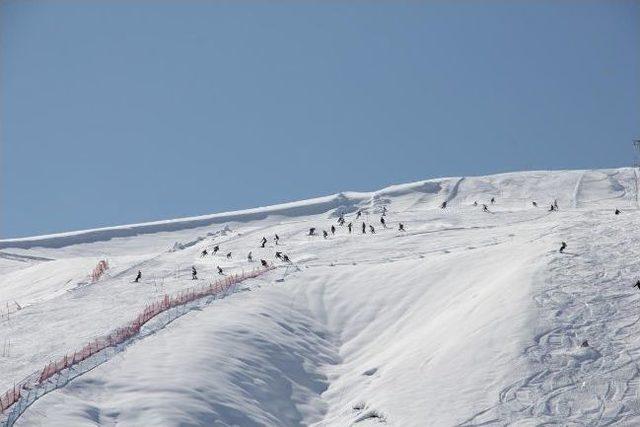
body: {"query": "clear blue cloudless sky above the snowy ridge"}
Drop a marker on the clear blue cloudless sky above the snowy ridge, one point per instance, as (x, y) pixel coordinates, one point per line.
(115, 112)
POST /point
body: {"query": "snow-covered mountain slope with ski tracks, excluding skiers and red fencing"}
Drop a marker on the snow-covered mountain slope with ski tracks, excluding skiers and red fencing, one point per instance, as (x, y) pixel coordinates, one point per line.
(466, 318)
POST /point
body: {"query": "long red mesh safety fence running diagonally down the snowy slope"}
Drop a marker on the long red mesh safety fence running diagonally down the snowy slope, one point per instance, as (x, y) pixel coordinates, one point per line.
(56, 374)
